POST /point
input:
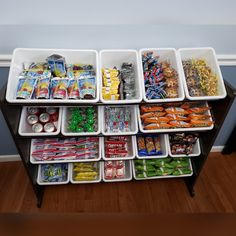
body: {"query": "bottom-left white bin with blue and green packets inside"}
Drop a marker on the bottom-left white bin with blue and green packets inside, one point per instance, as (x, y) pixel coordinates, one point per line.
(53, 174)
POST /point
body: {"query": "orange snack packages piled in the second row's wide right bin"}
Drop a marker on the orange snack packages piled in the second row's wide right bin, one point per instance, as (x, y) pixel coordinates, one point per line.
(175, 115)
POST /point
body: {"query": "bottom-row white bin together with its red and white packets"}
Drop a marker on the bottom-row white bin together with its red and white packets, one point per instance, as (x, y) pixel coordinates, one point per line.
(116, 171)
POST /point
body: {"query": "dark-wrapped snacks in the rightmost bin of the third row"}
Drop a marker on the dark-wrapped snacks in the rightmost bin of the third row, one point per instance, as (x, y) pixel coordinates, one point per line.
(182, 143)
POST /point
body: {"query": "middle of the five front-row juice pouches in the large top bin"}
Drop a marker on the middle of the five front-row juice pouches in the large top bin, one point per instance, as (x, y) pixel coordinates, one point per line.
(59, 88)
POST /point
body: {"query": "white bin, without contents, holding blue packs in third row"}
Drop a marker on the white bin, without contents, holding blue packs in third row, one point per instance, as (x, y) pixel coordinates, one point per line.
(164, 148)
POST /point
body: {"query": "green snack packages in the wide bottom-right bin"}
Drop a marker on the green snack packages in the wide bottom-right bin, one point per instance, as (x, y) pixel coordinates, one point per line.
(162, 167)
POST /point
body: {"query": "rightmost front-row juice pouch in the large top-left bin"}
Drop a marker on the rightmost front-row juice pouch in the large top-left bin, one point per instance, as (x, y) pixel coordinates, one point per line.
(87, 87)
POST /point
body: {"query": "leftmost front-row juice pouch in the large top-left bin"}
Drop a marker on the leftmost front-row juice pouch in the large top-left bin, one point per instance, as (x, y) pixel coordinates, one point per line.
(25, 88)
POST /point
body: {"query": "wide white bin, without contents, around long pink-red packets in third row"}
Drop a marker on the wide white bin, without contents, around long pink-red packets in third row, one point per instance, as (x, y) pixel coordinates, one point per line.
(34, 161)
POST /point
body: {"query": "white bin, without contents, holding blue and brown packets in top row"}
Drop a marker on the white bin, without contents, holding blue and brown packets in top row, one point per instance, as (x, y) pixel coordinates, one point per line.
(165, 54)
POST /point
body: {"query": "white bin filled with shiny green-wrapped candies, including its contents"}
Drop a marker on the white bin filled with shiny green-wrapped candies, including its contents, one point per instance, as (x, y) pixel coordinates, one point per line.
(79, 121)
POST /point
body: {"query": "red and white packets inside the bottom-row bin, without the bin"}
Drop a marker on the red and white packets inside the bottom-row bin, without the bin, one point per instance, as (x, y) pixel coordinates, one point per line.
(114, 170)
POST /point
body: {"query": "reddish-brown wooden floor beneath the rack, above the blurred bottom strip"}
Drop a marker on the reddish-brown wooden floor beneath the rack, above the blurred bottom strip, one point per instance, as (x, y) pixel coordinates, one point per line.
(215, 192)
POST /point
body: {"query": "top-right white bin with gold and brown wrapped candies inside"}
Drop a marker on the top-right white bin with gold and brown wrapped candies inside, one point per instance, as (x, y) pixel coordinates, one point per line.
(202, 75)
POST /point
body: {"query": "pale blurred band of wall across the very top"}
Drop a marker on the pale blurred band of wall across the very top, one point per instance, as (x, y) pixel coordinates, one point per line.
(118, 12)
